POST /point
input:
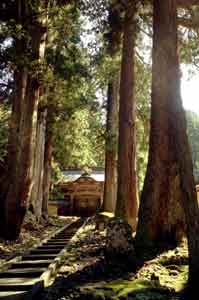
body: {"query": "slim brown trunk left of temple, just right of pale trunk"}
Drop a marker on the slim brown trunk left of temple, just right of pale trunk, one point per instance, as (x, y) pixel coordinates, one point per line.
(47, 173)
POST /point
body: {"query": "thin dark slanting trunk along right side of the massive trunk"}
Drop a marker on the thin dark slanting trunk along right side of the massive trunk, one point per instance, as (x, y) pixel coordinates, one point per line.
(183, 157)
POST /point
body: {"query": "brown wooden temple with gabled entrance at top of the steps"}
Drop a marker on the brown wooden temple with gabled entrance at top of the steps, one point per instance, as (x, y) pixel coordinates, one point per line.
(82, 193)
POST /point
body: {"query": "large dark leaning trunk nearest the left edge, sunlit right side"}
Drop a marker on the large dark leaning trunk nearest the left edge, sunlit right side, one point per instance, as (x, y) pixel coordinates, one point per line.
(21, 148)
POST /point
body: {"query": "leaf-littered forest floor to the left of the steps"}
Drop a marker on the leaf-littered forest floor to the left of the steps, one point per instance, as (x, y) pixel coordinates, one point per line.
(32, 234)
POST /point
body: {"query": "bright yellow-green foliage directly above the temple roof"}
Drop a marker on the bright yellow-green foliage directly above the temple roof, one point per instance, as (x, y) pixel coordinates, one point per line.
(78, 141)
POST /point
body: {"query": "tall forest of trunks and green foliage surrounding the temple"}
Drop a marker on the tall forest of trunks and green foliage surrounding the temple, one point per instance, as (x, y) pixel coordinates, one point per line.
(98, 84)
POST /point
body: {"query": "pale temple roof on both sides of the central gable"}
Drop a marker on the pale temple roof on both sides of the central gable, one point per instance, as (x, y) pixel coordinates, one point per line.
(74, 174)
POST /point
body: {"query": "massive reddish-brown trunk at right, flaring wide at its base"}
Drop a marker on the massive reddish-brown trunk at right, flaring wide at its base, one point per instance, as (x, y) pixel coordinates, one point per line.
(161, 217)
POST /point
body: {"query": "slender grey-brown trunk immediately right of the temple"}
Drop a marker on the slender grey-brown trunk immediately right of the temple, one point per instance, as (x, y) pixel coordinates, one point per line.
(110, 186)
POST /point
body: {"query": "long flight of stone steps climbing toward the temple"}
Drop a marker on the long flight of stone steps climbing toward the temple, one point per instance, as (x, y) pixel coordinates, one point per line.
(24, 276)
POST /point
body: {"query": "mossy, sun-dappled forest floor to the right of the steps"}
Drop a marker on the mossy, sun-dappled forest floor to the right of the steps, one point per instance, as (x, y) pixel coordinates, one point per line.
(86, 275)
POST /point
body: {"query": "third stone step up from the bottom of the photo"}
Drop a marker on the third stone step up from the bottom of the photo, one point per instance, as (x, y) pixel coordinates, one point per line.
(22, 272)
